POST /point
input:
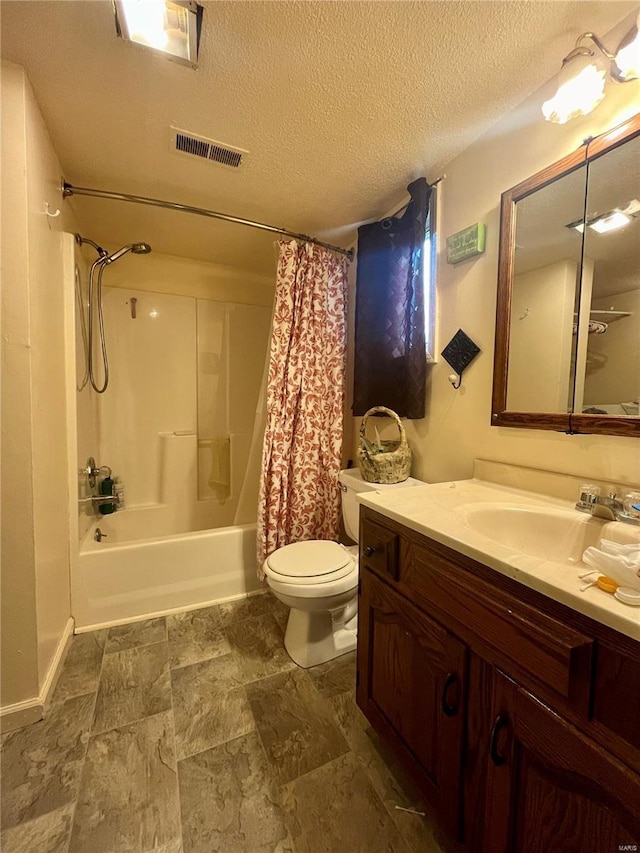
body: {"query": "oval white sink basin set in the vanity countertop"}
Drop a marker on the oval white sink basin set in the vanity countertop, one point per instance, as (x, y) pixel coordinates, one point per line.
(549, 533)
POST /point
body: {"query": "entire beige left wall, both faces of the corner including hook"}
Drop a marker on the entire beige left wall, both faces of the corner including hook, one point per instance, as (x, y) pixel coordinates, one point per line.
(35, 554)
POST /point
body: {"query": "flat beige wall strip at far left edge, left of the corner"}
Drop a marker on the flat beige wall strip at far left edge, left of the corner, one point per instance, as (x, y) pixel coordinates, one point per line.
(19, 650)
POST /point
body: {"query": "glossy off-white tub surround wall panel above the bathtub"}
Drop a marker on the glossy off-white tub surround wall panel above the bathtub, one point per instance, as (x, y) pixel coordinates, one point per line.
(177, 419)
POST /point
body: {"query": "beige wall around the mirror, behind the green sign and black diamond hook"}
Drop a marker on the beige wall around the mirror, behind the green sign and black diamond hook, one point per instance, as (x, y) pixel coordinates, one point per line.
(457, 427)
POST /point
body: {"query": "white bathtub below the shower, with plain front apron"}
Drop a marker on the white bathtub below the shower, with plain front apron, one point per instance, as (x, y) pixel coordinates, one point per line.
(124, 579)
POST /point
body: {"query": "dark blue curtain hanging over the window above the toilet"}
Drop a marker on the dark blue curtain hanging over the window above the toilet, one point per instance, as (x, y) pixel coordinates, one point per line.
(390, 358)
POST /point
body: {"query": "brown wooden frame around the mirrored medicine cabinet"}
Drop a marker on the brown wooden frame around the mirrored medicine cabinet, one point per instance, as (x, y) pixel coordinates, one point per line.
(569, 422)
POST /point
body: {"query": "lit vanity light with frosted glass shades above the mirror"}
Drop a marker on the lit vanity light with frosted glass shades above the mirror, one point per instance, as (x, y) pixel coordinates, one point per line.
(584, 73)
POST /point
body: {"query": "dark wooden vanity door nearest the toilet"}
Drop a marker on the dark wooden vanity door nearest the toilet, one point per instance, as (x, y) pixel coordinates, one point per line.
(411, 686)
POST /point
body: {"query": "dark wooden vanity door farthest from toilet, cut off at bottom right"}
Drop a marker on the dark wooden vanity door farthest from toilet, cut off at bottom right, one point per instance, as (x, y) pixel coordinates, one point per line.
(549, 788)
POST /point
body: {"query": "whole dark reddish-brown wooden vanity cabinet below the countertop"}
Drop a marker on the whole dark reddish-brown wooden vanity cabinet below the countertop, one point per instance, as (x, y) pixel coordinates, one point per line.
(518, 717)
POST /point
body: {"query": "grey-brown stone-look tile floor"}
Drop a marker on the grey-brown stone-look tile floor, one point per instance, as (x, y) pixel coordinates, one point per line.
(196, 733)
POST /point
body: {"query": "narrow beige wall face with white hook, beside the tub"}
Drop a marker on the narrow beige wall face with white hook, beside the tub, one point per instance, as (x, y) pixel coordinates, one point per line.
(48, 419)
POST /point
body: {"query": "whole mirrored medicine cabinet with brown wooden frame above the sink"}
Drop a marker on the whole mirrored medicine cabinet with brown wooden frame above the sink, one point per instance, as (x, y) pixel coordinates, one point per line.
(567, 353)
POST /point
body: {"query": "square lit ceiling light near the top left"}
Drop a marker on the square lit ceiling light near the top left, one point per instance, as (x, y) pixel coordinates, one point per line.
(169, 27)
